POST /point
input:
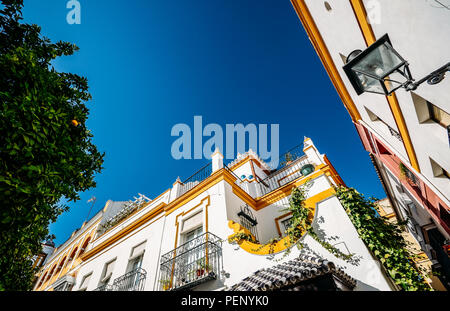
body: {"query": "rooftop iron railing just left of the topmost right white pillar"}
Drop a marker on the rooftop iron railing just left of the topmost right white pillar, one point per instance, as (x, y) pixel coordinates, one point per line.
(289, 172)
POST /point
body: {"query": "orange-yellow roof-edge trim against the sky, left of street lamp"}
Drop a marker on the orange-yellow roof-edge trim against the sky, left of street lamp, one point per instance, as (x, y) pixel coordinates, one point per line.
(319, 44)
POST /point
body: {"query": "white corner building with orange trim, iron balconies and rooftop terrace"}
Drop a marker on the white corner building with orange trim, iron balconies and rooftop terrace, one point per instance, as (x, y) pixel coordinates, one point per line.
(179, 240)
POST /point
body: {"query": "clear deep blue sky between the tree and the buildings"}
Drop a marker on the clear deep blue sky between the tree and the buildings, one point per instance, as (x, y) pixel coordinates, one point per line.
(152, 64)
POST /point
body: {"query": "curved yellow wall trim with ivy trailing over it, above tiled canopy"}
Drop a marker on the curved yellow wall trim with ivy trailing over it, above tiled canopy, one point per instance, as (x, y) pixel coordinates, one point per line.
(284, 243)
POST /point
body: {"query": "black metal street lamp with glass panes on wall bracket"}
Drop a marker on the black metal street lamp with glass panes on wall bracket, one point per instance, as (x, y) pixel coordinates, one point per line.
(381, 69)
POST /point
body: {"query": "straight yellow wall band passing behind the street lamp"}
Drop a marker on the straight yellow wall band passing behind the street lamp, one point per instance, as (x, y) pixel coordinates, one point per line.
(369, 37)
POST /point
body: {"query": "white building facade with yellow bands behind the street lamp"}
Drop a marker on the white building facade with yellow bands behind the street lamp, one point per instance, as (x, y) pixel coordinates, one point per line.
(407, 133)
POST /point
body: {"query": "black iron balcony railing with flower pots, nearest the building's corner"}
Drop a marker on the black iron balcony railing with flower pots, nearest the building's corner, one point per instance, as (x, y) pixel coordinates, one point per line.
(191, 264)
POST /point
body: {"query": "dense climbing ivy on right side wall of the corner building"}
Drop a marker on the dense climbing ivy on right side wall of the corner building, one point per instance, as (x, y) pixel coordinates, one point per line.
(383, 238)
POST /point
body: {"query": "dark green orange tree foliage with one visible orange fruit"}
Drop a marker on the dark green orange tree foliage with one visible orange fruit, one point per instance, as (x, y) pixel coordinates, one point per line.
(46, 152)
